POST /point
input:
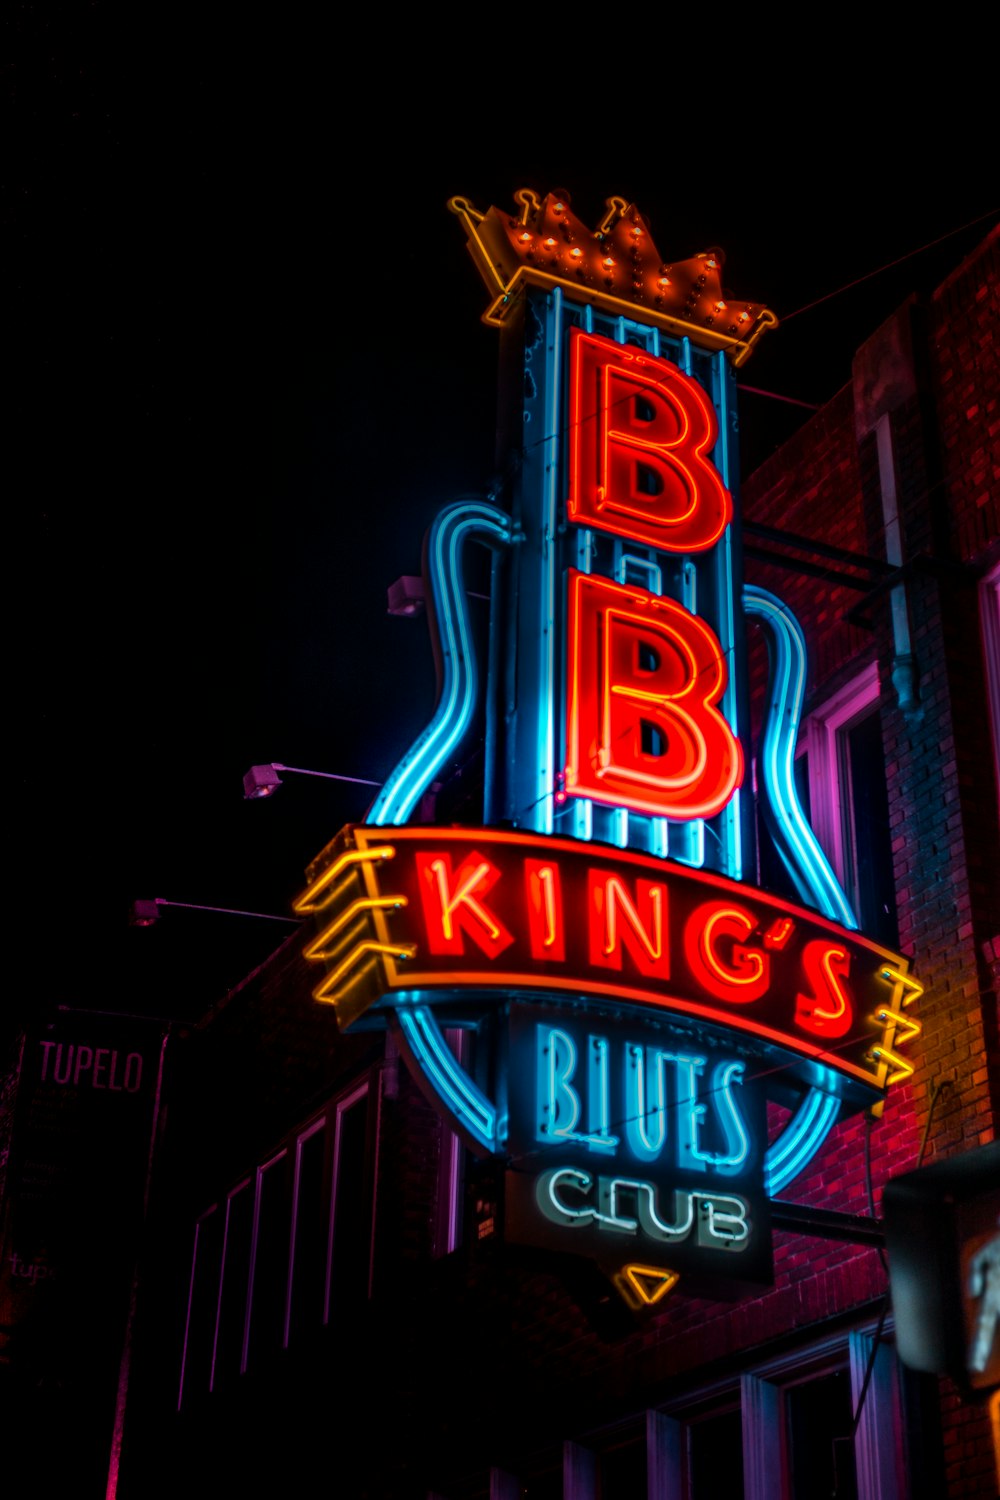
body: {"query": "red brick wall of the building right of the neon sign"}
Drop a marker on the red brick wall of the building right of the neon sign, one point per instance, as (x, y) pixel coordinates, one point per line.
(939, 769)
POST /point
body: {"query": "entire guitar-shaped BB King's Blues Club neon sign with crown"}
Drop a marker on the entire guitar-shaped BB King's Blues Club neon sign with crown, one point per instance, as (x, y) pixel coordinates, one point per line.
(641, 997)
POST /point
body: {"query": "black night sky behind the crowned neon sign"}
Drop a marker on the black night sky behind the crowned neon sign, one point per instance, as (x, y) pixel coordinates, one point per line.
(248, 367)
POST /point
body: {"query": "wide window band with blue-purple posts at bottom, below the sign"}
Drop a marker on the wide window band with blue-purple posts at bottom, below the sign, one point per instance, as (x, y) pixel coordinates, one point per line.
(834, 1420)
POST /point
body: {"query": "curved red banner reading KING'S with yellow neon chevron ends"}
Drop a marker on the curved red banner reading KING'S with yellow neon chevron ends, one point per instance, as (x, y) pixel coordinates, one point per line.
(478, 910)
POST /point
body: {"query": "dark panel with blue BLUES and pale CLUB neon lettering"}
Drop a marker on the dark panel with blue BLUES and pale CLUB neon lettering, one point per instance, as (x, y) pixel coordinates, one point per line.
(636, 1144)
